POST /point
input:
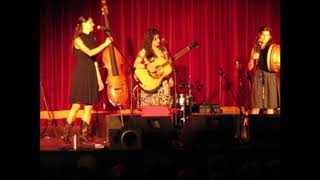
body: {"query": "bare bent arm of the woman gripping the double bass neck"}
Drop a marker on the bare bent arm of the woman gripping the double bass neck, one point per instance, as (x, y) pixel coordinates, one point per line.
(91, 52)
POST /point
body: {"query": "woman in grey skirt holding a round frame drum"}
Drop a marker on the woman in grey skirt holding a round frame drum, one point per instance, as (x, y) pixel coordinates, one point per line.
(265, 91)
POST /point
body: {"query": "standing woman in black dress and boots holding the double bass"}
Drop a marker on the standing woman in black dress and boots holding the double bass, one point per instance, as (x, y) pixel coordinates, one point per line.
(86, 79)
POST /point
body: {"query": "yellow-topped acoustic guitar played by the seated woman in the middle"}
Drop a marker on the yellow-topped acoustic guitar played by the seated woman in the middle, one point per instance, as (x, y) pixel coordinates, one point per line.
(161, 67)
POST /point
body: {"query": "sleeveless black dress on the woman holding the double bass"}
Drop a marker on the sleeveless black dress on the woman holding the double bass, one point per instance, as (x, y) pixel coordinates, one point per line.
(84, 85)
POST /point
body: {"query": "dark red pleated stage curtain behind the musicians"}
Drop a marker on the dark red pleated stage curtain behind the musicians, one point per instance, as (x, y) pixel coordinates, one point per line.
(225, 30)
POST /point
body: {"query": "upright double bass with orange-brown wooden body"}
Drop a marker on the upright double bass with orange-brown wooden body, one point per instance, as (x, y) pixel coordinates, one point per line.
(117, 89)
